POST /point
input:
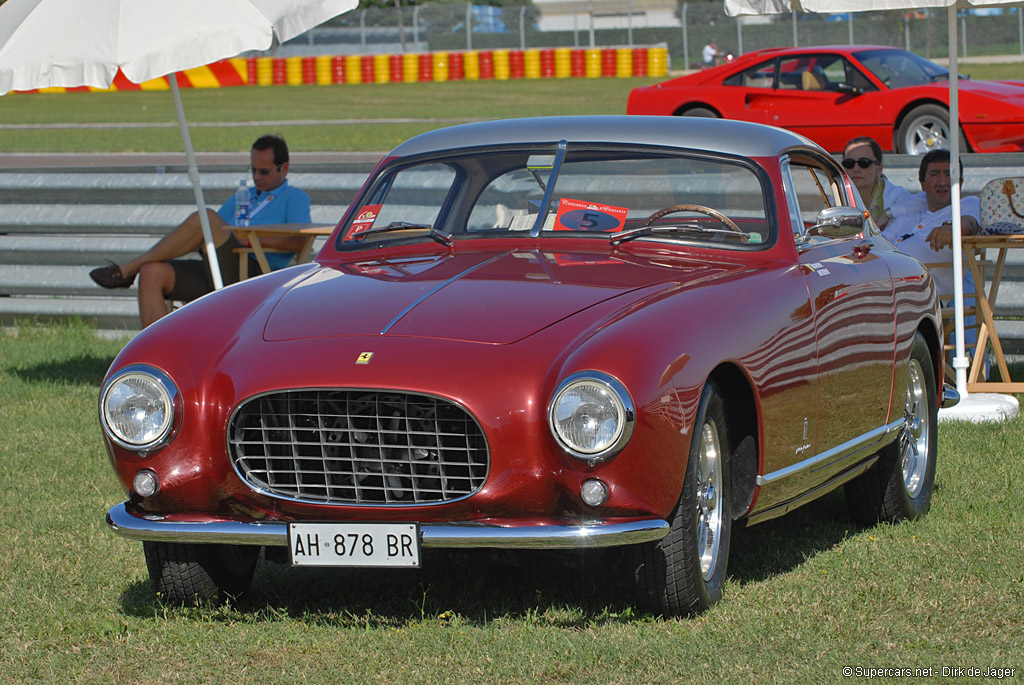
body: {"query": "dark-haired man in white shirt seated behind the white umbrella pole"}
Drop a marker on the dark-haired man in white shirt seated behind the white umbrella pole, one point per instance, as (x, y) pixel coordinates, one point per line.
(926, 234)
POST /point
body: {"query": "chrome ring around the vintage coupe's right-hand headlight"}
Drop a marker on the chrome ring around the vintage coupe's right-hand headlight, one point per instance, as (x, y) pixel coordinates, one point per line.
(618, 399)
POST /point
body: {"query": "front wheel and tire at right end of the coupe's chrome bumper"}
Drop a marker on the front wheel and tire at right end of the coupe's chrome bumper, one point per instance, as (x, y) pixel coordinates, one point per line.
(685, 573)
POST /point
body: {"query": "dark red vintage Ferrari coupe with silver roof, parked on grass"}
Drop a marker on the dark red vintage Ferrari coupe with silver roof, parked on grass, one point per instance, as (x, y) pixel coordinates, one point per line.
(540, 333)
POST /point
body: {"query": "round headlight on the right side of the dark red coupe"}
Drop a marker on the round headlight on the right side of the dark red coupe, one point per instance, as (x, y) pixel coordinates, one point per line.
(592, 416)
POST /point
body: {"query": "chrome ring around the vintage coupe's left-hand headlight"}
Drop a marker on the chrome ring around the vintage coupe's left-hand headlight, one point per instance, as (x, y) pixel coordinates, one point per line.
(167, 395)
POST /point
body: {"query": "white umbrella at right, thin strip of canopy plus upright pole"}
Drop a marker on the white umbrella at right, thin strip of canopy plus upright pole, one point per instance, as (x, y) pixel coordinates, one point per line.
(741, 8)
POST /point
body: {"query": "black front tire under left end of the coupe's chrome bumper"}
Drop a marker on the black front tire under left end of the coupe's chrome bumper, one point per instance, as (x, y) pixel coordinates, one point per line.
(188, 574)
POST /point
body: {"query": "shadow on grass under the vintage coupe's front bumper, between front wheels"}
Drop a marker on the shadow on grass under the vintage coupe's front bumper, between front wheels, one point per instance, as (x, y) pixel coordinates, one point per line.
(571, 589)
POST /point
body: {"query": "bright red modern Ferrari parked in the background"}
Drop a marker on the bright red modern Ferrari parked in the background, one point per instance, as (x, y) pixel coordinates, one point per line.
(834, 94)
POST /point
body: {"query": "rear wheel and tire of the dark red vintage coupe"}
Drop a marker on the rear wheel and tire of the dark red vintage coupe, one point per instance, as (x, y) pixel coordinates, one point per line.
(900, 486)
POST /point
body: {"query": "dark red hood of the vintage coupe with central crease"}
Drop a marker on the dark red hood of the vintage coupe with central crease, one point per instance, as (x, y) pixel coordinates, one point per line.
(486, 297)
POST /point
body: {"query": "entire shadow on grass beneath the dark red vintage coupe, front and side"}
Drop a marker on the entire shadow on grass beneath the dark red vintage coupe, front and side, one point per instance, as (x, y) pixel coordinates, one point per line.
(570, 589)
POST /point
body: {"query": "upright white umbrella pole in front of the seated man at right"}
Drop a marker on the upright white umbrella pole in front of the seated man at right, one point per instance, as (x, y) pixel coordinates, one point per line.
(960, 359)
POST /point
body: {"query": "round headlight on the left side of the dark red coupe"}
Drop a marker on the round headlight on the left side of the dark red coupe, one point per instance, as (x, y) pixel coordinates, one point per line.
(138, 409)
